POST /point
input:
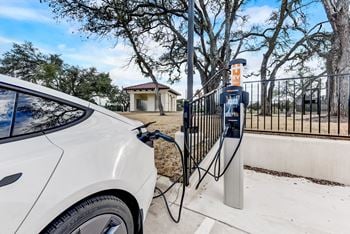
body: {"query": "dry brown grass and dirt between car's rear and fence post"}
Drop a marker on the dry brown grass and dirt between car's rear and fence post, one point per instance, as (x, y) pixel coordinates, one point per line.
(167, 158)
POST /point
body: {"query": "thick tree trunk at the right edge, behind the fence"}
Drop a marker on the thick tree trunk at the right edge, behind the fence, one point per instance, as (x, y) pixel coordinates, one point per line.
(338, 58)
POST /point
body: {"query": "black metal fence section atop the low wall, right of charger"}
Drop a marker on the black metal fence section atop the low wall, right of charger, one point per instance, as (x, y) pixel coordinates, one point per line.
(308, 105)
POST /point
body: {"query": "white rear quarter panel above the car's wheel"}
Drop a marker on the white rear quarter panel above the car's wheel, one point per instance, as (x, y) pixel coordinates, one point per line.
(98, 170)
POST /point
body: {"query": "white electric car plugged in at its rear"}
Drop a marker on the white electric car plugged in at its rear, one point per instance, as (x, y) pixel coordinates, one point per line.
(69, 166)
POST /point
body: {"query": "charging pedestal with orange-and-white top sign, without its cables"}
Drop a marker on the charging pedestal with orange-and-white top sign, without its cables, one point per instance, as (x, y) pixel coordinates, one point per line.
(234, 100)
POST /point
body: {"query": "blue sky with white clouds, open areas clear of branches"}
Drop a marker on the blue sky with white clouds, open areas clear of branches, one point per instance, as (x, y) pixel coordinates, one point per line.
(30, 20)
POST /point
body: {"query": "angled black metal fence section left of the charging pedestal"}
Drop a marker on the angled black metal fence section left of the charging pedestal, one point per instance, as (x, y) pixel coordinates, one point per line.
(202, 127)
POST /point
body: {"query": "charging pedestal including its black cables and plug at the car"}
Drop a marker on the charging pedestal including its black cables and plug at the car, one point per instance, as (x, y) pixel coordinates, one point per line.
(233, 101)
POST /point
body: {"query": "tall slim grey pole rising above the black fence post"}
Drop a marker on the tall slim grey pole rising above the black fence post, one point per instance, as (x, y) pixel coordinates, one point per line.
(190, 49)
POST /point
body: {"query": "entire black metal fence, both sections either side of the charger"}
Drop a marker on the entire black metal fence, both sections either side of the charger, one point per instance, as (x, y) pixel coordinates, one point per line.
(299, 106)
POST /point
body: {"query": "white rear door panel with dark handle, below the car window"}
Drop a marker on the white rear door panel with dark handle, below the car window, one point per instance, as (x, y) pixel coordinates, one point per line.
(36, 158)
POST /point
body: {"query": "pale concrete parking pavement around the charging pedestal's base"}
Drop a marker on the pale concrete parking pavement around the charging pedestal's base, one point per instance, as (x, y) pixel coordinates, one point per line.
(272, 205)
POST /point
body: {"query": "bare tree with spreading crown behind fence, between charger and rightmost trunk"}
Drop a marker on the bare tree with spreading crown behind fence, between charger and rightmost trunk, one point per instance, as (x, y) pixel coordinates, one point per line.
(287, 41)
